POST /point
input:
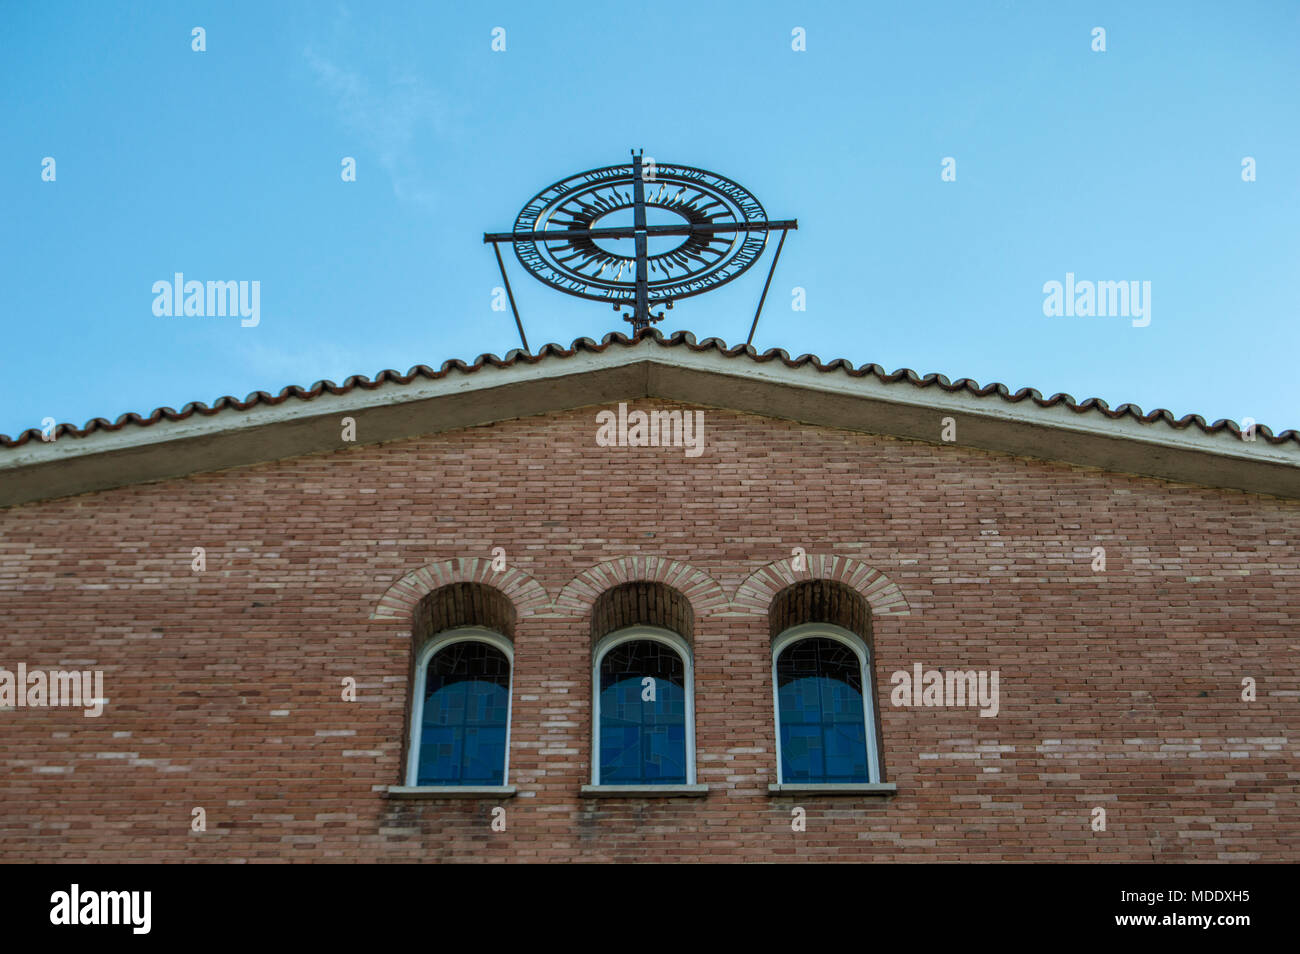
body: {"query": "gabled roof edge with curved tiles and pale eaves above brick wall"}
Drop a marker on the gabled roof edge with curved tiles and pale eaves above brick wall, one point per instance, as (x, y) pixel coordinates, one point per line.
(393, 406)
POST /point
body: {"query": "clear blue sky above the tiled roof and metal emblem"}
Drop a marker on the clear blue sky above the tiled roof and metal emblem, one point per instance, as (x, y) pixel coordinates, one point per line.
(1117, 166)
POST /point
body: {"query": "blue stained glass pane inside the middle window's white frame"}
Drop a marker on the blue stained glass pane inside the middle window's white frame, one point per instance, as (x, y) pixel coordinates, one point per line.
(643, 741)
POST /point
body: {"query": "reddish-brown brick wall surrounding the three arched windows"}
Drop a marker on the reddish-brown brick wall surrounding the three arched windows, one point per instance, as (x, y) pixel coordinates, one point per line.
(1120, 690)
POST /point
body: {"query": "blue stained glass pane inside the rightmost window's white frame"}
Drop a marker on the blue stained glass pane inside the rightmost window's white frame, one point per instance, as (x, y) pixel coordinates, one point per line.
(820, 699)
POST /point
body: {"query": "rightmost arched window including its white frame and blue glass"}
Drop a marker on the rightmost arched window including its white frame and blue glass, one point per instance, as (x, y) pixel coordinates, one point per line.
(824, 696)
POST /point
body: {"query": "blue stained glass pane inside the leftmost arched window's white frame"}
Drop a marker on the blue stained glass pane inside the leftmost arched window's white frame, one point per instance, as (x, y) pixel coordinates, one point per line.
(466, 714)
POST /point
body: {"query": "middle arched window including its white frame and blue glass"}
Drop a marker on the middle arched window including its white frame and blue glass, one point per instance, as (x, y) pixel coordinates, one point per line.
(644, 714)
